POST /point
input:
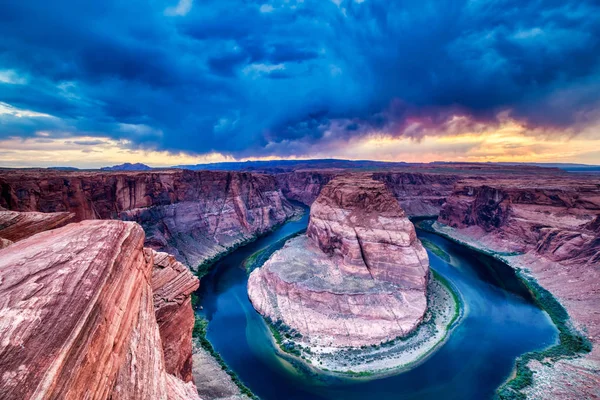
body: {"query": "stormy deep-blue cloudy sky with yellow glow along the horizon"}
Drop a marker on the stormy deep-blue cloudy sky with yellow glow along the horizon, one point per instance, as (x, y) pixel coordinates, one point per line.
(90, 84)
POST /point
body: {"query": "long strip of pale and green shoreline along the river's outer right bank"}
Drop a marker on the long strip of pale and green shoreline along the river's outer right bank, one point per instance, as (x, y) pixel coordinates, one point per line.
(533, 371)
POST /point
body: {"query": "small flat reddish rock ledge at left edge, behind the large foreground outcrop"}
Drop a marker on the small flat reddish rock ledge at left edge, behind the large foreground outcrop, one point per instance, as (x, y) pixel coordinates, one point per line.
(15, 226)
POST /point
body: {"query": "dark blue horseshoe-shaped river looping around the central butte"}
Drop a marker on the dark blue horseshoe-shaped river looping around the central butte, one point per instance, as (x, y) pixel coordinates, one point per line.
(500, 323)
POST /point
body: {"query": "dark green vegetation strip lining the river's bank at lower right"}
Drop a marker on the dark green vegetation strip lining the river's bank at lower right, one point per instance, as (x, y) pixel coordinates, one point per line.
(571, 343)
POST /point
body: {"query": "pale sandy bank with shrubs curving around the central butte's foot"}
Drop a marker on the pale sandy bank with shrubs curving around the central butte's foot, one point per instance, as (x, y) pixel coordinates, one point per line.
(370, 362)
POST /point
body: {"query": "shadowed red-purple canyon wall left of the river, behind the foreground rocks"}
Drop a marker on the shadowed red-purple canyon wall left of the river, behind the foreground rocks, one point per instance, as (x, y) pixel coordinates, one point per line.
(195, 215)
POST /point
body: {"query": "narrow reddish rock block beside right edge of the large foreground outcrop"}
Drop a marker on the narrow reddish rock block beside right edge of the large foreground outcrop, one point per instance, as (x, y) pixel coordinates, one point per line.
(172, 285)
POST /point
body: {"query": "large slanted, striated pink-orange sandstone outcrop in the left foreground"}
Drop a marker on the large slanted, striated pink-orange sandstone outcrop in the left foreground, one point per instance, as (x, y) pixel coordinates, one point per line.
(77, 317)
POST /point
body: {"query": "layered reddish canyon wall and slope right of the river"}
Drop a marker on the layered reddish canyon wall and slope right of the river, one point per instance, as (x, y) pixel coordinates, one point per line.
(549, 229)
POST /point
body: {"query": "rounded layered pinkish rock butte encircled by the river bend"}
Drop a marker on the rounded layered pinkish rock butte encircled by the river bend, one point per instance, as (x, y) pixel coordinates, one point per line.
(357, 278)
